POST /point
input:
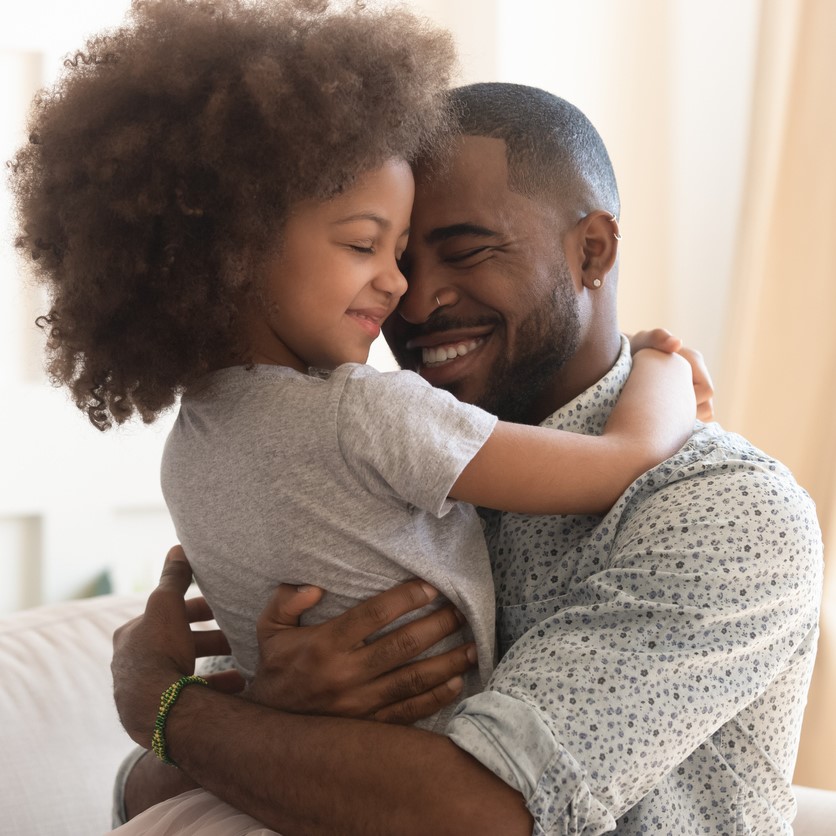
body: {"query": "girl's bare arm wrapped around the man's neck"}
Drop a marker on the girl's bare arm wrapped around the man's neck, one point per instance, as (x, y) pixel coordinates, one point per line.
(534, 470)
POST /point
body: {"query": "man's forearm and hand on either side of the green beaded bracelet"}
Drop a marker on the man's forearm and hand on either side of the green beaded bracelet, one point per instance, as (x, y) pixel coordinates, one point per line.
(299, 774)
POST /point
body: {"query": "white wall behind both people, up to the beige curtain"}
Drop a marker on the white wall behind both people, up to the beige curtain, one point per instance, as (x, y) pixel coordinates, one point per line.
(667, 82)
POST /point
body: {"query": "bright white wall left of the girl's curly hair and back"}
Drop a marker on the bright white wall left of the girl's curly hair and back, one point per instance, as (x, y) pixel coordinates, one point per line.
(74, 503)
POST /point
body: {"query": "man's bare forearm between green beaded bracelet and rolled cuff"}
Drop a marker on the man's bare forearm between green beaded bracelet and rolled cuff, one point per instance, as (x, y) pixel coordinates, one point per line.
(321, 775)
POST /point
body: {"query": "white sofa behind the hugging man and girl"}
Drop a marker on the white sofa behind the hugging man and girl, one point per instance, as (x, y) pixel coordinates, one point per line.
(60, 738)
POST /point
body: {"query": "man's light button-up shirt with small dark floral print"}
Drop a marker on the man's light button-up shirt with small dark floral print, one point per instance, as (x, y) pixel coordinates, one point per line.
(656, 659)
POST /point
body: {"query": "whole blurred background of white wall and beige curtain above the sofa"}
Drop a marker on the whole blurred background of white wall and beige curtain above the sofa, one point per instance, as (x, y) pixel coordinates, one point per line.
(720, 118)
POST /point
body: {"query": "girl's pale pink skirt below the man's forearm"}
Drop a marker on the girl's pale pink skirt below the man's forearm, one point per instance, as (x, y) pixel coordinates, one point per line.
(194, 813)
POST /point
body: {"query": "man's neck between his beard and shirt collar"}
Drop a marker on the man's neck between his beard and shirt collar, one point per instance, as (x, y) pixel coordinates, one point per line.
(587, 366)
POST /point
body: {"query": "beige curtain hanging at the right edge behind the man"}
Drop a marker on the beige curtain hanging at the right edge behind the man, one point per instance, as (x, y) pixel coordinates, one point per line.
(779, 385)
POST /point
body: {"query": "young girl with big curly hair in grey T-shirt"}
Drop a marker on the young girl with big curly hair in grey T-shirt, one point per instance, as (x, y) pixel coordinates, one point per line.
(217, 196)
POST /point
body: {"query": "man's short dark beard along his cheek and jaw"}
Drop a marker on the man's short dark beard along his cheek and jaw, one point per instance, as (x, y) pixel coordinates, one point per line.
(545, 341)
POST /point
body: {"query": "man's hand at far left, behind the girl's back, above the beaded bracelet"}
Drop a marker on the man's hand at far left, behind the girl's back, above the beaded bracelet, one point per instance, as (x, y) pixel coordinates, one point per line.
(158, 647)
